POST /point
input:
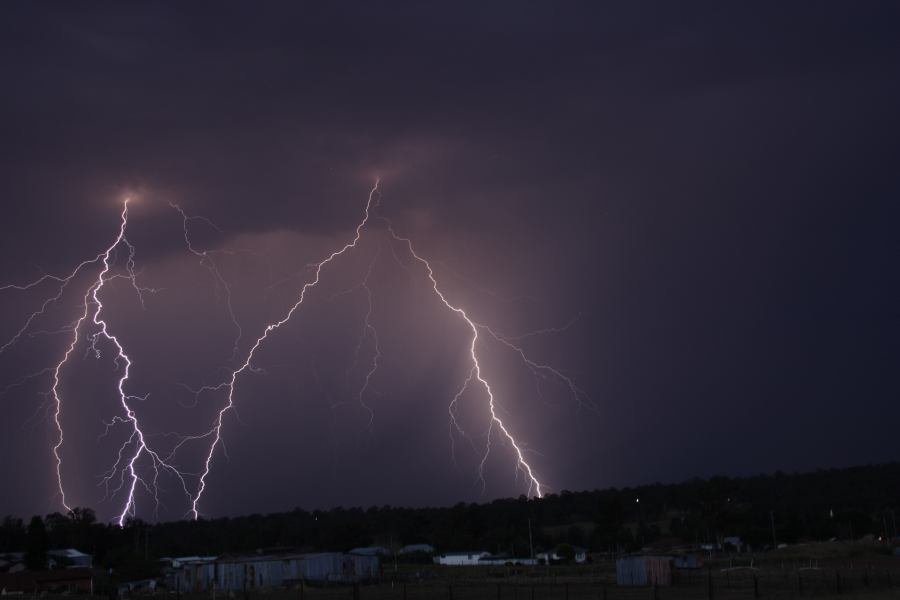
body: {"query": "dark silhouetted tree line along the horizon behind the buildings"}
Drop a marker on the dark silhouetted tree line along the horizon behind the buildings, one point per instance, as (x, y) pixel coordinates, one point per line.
(763, 510)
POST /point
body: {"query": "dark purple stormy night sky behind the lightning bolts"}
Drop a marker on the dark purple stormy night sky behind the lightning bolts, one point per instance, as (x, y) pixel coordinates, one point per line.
(702, 199)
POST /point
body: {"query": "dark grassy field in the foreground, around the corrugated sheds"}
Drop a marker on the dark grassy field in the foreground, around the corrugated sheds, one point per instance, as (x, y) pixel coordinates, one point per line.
(834, 570)
